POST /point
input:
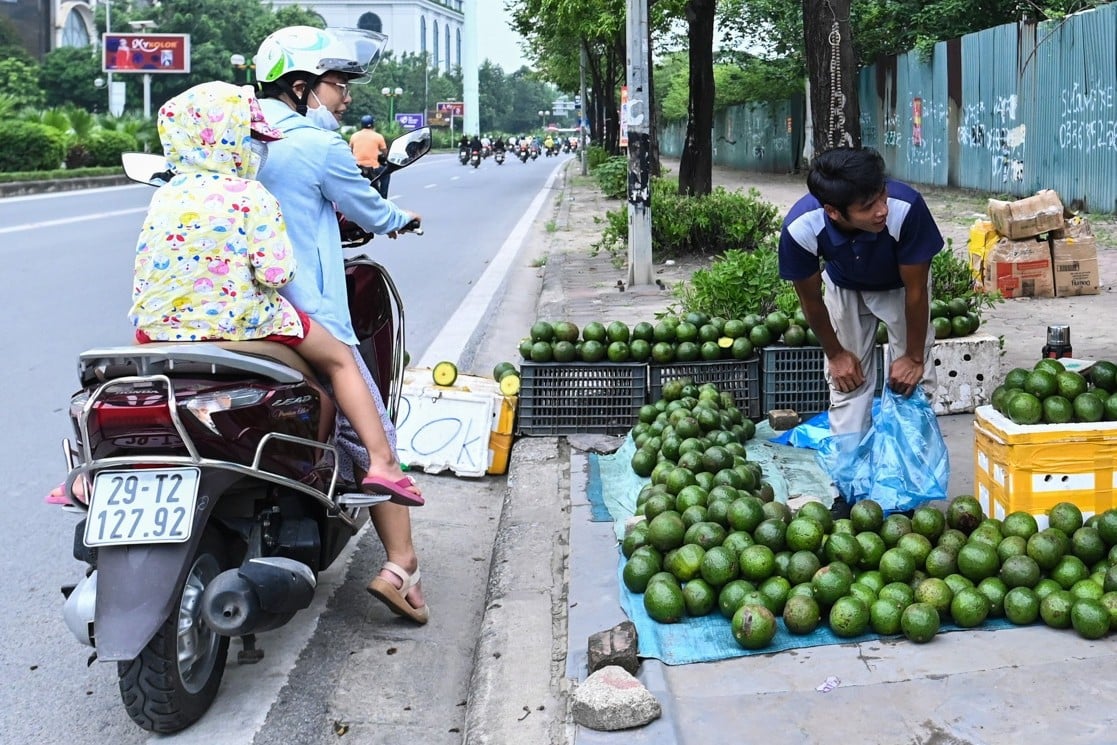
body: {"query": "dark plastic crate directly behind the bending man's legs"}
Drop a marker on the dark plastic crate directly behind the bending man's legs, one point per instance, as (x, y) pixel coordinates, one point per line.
(794, 379)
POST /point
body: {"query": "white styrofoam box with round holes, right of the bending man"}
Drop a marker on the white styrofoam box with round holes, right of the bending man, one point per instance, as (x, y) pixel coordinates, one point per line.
(968, 369)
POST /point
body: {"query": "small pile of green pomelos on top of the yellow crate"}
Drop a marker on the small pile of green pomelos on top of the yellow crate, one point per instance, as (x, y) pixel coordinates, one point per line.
(1052, 395)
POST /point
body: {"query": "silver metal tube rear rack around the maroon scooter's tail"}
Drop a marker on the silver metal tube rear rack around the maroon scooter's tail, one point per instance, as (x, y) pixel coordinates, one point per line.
(90, 466)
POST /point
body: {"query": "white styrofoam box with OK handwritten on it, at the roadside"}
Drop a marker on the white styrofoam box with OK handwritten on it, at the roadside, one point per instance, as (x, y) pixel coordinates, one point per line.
(446, 427)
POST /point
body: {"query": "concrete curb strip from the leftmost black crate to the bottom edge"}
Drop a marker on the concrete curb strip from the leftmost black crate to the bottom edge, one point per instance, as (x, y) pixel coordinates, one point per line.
(517, 691)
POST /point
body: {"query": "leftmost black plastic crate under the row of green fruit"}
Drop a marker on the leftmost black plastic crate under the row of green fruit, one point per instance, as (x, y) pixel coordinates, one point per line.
(560, 398)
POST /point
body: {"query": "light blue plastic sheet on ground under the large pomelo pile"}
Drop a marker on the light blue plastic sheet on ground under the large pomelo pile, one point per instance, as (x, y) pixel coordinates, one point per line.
(793, 472)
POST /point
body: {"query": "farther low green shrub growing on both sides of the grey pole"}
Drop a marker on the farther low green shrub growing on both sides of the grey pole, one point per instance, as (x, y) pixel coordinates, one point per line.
(709, 225)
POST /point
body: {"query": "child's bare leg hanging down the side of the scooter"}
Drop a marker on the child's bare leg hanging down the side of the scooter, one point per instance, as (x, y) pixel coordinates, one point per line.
(335, 359)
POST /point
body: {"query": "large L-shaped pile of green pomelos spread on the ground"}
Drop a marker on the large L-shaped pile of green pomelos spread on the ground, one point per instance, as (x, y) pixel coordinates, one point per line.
(713, 540)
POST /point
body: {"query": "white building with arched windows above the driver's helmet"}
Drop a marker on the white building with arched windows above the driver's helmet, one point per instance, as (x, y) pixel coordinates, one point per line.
(434, 27)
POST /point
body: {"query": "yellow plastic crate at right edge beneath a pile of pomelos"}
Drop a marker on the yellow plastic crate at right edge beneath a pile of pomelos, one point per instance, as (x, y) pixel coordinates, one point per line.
(1033, 469)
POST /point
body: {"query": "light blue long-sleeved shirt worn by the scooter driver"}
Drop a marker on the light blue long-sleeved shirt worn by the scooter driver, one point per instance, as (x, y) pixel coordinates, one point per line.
(312, 173)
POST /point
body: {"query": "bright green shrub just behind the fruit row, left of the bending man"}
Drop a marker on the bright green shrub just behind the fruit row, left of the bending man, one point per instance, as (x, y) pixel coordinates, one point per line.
(740, 283)
